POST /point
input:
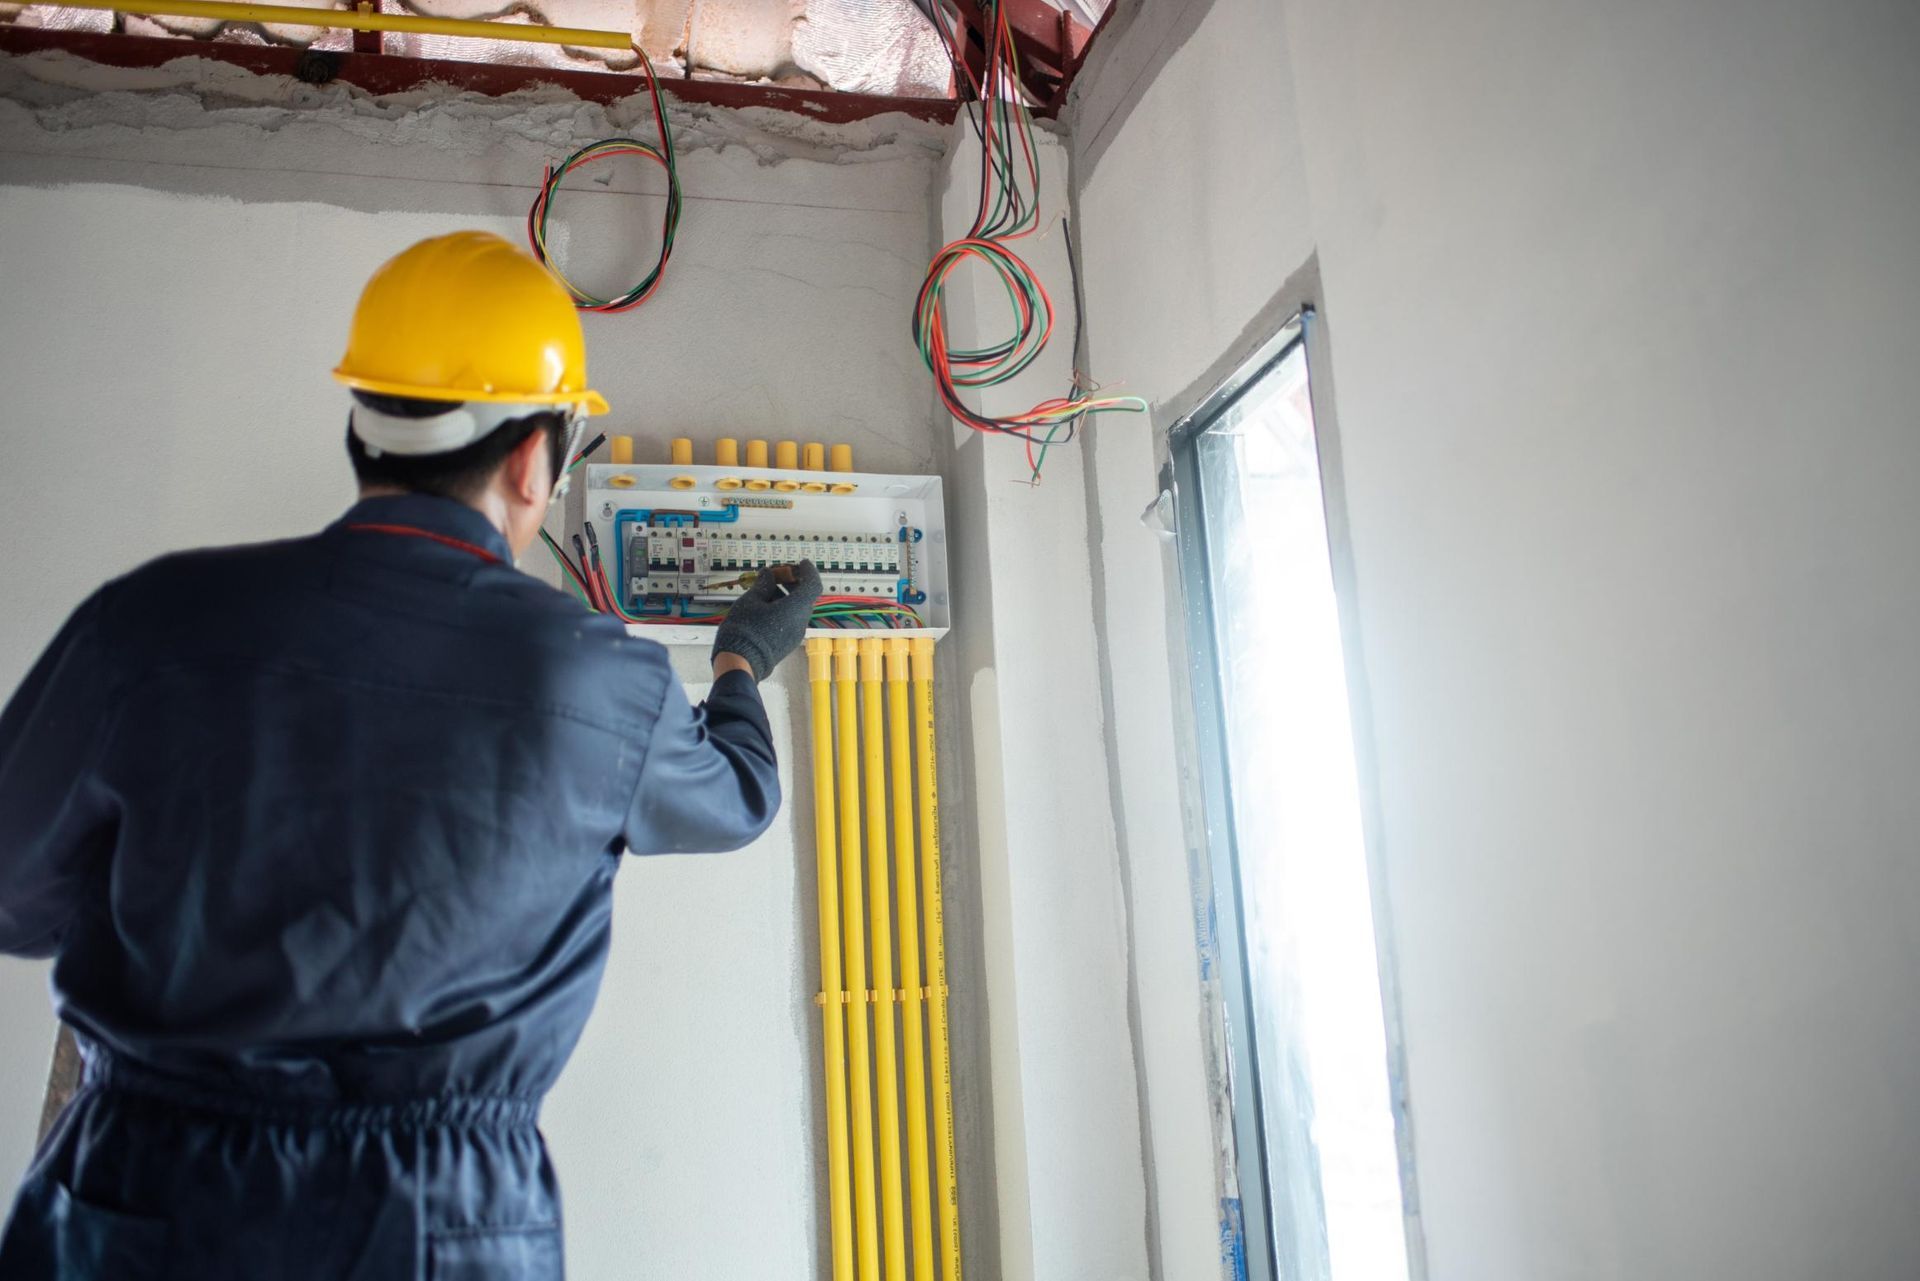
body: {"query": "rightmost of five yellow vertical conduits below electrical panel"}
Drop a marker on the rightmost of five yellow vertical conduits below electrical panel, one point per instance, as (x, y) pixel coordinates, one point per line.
(934, 927)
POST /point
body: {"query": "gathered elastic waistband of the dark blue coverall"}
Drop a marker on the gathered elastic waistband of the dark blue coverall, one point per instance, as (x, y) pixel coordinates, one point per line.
(105, 1073)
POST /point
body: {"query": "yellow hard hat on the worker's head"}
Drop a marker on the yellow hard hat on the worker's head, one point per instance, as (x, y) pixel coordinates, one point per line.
(469, 318)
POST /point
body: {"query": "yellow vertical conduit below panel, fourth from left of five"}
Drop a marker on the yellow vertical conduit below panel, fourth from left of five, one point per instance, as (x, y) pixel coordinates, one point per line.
(901, 771)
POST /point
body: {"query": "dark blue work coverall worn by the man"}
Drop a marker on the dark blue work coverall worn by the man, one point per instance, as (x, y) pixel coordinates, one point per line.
(322, 836)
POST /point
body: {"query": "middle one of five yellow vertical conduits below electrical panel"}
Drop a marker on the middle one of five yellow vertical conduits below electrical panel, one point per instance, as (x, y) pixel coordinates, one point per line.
(880, 902)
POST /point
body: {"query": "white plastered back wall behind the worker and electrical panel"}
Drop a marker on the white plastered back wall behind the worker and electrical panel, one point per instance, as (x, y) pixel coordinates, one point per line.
(178, 283)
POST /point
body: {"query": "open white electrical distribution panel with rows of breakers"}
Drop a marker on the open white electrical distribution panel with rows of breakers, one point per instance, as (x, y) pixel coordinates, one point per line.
(681, 543)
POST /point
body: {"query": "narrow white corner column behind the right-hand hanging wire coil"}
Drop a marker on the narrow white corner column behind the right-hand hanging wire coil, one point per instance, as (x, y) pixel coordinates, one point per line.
(1068, 1163)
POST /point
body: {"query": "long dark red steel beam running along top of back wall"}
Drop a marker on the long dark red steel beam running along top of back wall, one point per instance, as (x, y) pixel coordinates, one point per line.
(385, 74)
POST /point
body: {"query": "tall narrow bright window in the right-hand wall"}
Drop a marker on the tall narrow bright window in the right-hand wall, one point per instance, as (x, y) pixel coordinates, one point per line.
(1314, 1119)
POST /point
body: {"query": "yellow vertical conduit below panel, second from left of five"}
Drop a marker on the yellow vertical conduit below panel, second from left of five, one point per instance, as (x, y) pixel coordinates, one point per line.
(853, 934)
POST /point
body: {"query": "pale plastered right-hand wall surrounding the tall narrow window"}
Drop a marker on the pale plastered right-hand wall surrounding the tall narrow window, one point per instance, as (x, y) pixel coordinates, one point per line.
(1621, 308)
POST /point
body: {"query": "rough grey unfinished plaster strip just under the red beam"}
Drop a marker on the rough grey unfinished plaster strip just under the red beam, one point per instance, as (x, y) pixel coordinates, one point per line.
(178, 128)
